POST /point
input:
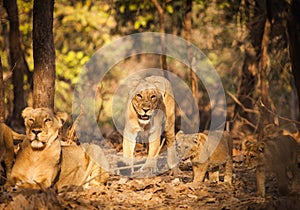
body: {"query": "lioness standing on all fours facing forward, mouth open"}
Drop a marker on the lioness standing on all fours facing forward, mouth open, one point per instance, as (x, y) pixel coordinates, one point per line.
(150, 111)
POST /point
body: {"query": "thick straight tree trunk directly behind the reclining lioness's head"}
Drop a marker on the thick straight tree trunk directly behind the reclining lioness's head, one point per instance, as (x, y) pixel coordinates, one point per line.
(43, 54)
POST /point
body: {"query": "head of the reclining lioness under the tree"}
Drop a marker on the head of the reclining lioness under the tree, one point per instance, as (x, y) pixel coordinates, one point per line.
(42, 126)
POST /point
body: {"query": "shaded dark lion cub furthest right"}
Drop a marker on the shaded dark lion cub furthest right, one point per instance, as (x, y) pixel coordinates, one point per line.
(277, 155)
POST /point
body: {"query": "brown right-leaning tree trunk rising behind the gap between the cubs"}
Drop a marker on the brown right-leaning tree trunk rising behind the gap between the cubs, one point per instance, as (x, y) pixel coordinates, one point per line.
(244, 120)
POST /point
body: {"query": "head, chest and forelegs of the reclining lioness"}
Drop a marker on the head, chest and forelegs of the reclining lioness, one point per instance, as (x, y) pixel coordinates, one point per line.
(38, 160)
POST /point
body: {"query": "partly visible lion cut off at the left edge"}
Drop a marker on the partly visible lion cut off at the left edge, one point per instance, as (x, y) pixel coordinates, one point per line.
(6, 151)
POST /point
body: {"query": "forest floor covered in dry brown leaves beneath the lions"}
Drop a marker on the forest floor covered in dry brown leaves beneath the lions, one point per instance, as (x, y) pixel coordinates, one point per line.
(160, 192)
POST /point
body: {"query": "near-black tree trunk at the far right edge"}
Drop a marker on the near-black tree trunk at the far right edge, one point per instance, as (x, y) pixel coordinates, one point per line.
(293, 32)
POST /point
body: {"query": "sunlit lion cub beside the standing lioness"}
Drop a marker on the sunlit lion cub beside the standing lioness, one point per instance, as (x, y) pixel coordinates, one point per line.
(193, 146)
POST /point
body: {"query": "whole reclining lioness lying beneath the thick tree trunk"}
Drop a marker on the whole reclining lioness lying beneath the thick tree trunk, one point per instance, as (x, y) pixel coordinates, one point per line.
(42, 161)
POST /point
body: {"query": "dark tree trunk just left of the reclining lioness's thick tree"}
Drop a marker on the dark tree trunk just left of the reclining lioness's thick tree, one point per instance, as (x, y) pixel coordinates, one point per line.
(17, 62)
